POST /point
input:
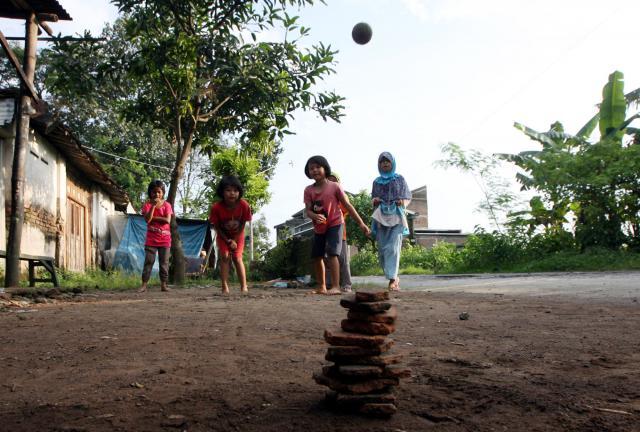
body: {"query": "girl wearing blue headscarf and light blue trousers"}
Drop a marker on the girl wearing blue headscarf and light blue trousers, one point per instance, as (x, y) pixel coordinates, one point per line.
(390, 195)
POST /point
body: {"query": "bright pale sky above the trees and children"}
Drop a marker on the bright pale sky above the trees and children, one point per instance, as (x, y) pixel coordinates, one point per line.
(439, 71)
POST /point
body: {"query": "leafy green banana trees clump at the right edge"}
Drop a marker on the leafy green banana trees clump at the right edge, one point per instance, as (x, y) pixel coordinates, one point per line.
(599, 182)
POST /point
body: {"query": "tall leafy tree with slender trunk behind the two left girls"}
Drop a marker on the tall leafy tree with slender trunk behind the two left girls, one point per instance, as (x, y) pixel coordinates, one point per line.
(185, 68)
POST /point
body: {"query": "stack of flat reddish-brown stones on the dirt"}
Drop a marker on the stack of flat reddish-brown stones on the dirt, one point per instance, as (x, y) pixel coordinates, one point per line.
(364, 373)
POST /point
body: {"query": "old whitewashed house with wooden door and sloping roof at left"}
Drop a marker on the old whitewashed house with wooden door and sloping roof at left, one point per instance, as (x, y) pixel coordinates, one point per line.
(68, 196)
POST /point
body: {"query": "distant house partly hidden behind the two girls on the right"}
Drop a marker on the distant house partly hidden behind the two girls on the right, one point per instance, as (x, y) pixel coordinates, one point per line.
(417, 216)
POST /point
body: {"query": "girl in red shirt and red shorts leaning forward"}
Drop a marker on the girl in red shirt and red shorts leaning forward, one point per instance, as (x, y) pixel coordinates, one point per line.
(229, 217)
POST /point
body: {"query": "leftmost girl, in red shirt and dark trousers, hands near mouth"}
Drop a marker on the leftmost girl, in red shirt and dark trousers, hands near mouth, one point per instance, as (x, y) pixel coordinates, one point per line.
(157, 212)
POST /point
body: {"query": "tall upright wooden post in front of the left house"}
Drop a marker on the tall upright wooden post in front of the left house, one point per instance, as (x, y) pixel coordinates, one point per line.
(16, 220)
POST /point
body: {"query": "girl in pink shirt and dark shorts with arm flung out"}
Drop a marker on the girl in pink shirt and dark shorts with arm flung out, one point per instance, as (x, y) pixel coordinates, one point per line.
(322, 202)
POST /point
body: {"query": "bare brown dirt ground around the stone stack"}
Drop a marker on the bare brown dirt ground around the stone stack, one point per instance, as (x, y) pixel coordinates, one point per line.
(193, 360)
